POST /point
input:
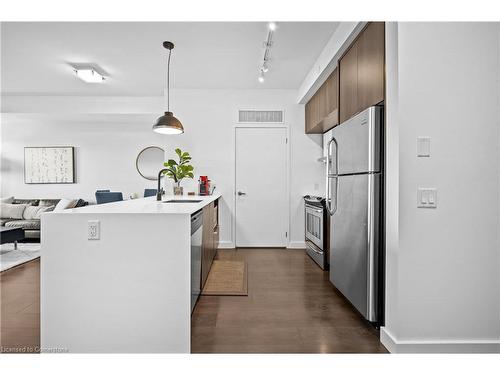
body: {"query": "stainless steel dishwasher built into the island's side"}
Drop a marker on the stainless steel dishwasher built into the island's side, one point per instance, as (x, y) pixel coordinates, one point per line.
(196, 238)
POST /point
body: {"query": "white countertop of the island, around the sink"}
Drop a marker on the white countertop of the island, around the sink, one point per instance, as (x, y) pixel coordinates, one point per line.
(148, 205)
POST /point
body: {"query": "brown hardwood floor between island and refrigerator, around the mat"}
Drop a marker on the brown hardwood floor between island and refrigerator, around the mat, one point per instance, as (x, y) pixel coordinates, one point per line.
(291, 308)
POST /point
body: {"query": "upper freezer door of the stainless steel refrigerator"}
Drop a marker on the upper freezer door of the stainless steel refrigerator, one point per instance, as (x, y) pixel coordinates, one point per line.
(358, 143)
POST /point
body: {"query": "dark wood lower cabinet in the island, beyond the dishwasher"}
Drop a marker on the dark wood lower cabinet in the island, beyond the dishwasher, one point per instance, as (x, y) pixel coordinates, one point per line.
(210, 238)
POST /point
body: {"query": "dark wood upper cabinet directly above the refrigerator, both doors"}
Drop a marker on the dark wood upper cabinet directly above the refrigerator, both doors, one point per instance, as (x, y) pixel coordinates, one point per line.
(361, 72)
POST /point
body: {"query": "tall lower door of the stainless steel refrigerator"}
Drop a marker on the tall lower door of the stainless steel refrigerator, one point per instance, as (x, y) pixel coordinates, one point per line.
(354, 241)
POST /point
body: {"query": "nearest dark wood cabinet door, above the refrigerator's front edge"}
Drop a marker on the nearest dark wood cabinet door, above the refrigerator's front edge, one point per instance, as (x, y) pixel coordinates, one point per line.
(371, 57)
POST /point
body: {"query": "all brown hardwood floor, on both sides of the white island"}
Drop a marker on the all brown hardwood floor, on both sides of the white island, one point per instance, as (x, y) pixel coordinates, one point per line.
(291, 308)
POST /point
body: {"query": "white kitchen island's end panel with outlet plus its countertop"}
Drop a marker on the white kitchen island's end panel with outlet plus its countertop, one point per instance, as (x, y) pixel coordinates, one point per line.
(127, 291)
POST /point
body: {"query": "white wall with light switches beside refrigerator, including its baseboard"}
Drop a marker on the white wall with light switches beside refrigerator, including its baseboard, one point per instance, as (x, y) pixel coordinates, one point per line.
(443, 270)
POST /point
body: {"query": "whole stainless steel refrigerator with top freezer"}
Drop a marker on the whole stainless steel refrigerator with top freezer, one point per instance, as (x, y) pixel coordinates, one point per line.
(353, 199)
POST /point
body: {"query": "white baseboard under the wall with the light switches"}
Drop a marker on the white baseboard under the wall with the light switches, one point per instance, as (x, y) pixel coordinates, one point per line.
(434, 346)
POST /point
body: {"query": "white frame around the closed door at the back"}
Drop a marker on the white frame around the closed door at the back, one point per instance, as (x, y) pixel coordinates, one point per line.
(287, 182)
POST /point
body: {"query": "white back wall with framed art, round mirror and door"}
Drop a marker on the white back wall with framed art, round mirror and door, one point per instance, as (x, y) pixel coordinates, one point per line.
(108, 133)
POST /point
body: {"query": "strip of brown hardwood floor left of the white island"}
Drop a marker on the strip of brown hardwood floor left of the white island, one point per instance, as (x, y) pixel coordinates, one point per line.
(20, 309)
